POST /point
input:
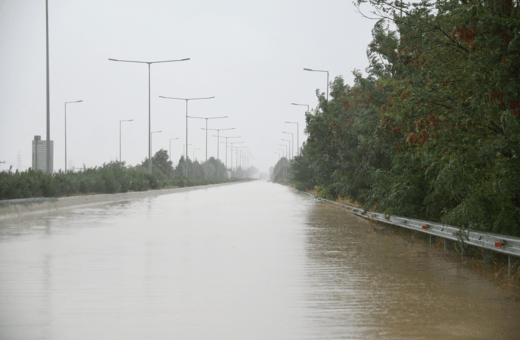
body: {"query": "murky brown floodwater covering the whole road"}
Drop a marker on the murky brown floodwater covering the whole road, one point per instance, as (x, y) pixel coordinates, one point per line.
(245, 261)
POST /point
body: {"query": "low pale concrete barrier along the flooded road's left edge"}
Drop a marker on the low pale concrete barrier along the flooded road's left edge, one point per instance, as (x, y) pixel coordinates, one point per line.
(28, 206)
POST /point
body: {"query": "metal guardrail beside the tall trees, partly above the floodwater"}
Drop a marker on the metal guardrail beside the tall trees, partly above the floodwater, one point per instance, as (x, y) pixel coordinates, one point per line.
(508, 245)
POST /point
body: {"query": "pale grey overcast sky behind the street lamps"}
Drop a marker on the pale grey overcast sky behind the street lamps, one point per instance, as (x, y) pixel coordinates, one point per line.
(250, 55)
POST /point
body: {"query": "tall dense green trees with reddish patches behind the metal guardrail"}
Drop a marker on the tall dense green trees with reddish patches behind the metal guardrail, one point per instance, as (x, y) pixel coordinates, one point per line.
(433, 130)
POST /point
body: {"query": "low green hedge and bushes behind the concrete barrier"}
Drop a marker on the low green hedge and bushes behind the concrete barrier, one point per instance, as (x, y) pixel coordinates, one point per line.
(116, 177)
